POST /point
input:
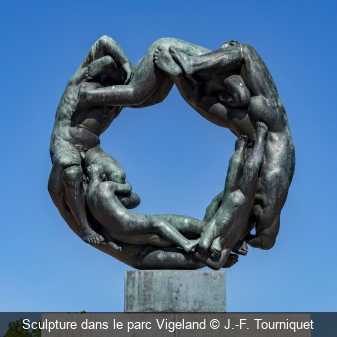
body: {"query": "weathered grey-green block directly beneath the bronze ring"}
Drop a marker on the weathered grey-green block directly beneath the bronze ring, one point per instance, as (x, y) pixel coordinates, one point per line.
(175, 291)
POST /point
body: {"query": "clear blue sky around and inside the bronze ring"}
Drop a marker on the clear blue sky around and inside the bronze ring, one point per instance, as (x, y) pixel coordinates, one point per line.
(174, 159)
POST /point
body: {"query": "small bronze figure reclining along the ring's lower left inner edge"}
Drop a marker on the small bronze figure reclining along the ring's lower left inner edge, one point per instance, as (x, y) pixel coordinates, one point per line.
(129, 227)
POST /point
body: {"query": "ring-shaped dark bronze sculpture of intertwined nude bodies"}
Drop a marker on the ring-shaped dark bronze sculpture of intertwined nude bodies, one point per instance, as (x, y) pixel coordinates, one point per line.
(230, 87)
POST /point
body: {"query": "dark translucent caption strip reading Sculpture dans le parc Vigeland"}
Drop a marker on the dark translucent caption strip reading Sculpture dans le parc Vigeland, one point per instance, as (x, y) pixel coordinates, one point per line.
(170, 324)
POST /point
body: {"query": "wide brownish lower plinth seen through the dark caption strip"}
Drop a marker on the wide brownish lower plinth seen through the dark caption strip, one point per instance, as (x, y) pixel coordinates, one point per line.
(174, 324)
